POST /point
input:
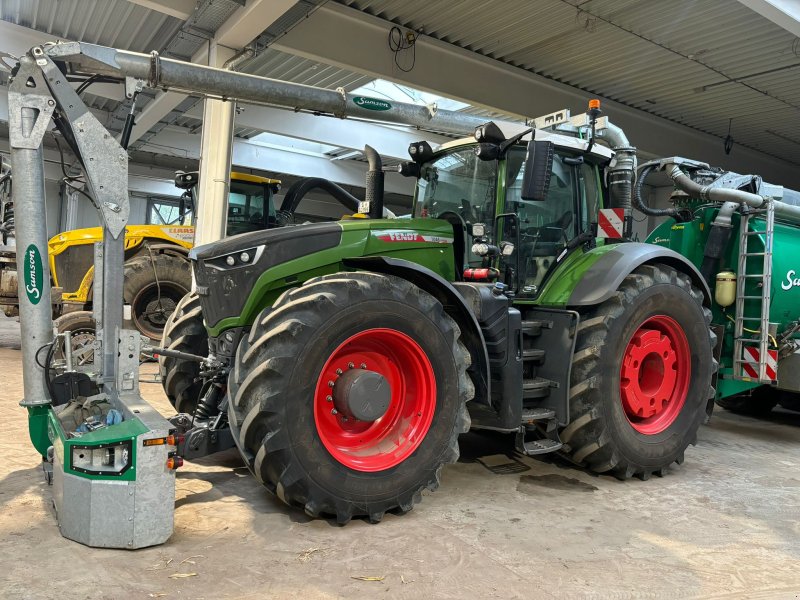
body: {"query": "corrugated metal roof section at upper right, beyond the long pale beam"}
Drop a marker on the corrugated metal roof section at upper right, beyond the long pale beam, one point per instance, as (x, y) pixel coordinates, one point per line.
(700, 63)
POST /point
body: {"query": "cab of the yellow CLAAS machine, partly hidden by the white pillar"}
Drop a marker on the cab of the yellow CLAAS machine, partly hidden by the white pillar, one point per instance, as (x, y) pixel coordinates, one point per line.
(250, 202)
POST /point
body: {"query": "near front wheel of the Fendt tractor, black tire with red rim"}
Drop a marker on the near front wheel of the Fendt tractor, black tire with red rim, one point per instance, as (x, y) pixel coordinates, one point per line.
(296, 367)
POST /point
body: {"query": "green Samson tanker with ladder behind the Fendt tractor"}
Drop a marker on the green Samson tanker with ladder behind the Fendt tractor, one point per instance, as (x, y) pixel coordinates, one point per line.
(730, 226)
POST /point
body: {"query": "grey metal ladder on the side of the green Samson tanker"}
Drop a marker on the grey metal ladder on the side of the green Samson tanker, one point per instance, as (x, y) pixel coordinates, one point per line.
(760, 339)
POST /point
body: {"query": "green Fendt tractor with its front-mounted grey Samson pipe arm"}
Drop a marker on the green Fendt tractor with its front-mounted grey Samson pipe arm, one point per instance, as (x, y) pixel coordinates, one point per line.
(345, 359)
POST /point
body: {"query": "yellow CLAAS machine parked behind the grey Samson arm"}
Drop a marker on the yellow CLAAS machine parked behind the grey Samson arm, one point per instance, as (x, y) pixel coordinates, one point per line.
(157, 273)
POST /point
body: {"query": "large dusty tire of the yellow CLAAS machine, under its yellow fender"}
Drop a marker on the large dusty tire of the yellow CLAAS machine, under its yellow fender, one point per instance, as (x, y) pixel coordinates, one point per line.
(154, 284)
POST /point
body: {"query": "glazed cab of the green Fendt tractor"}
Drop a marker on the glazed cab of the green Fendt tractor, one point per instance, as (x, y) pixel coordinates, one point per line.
(520, 238)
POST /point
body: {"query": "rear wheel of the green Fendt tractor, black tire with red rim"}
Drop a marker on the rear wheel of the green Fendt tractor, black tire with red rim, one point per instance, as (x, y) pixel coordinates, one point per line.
(641, 375)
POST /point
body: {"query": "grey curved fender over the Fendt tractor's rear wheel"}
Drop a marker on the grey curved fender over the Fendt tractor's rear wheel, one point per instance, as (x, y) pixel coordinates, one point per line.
(604, 277)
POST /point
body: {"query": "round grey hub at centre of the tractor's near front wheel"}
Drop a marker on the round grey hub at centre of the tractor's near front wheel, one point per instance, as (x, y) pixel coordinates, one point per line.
(362, 395)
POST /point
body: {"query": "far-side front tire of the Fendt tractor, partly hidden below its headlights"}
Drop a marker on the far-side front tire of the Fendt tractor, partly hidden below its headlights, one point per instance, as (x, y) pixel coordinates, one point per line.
(184, 332)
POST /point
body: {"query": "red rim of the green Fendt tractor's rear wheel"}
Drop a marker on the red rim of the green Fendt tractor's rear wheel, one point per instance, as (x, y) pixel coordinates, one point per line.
(654, 378)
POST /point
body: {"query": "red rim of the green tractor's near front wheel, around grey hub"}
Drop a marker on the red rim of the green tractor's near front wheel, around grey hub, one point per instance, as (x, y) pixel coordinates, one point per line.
(389, 440)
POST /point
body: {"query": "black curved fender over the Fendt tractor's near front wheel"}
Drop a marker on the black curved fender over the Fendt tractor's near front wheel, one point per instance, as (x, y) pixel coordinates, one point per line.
(454, 304)
